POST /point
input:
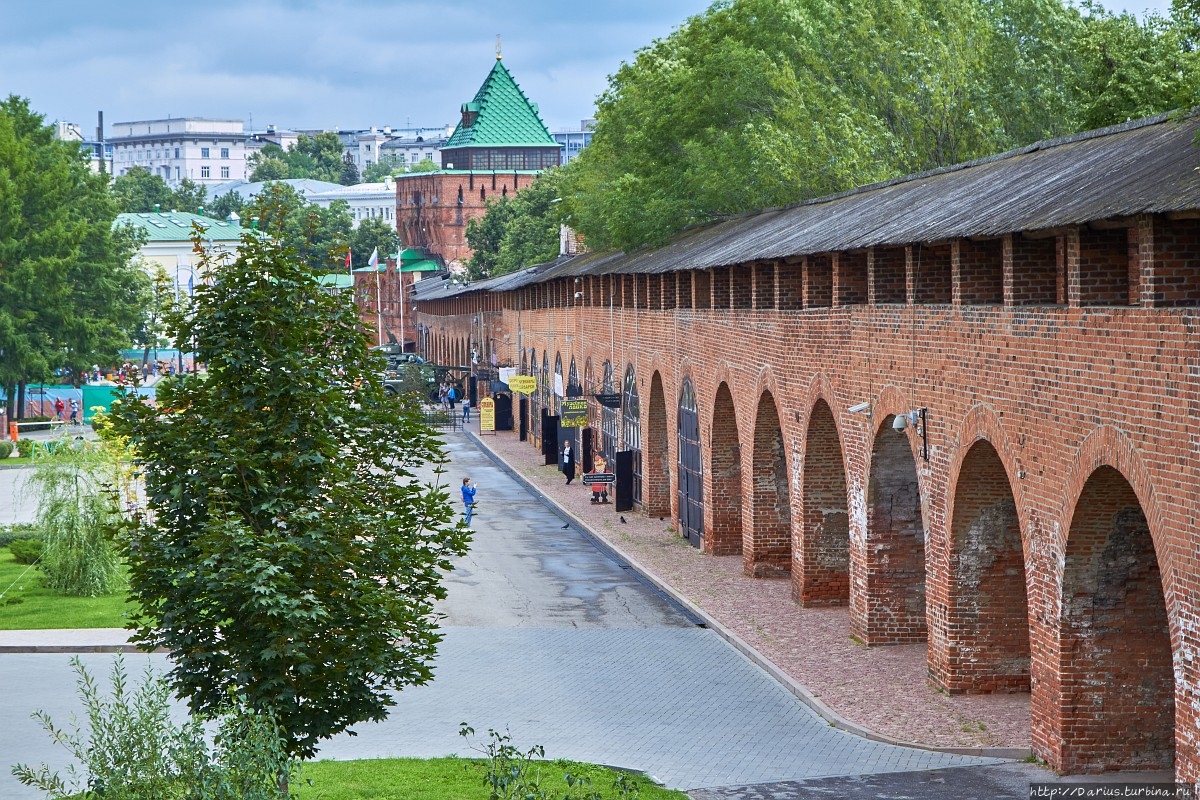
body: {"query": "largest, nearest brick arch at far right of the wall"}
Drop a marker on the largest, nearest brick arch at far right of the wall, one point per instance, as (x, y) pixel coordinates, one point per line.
(1115, 672)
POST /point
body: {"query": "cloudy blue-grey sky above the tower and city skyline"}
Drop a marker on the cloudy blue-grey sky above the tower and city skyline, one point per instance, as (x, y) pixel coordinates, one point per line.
(323, 64)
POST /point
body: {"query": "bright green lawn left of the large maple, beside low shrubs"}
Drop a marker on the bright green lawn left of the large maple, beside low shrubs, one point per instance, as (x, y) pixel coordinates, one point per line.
(28, 606)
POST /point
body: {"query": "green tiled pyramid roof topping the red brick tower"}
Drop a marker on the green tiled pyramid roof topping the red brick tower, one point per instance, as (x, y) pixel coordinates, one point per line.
(501, 130)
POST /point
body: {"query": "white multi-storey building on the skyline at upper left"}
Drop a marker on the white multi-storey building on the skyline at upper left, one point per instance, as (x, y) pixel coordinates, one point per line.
(208, 152)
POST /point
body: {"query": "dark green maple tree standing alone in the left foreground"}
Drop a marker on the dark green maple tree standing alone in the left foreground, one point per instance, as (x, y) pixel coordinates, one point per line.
(292, 556)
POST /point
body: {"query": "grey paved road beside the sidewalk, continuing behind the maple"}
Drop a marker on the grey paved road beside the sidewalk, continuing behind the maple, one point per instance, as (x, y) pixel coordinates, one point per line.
(566, 647)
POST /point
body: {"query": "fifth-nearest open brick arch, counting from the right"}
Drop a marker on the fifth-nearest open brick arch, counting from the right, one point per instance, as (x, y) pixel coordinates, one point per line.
(767, 546)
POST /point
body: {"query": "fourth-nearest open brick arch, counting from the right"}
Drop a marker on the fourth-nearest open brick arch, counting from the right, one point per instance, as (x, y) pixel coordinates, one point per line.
(824, 557)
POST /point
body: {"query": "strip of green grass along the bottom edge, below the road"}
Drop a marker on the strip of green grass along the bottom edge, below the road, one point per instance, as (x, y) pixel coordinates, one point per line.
(446, 779)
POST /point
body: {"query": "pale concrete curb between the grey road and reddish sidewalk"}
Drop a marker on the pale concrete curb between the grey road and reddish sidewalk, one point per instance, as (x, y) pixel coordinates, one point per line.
(797, 689)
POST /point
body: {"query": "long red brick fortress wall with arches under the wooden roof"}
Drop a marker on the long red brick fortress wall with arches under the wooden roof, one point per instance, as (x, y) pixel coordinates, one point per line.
(1059, 392)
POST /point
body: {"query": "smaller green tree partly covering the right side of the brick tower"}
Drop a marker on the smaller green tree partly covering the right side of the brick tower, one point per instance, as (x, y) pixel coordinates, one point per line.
(517, 232)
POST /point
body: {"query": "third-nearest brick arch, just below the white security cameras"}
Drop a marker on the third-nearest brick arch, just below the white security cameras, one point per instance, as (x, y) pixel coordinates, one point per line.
(887, 604)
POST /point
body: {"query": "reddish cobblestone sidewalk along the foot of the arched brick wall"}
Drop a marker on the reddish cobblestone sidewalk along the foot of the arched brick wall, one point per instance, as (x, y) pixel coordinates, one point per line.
(812, 646)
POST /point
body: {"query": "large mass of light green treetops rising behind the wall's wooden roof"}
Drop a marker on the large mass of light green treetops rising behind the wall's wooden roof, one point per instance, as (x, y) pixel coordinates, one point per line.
(760, 104)
